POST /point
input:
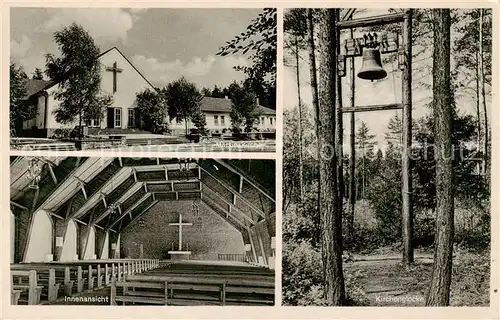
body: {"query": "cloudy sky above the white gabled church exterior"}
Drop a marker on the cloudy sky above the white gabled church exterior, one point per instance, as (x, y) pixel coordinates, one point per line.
(164, 44)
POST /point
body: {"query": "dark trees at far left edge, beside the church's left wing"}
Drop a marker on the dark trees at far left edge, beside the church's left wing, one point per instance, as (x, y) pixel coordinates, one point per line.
(20, 108)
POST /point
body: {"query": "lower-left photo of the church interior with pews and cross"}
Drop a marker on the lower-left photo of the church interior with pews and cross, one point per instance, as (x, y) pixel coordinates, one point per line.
(142, 231)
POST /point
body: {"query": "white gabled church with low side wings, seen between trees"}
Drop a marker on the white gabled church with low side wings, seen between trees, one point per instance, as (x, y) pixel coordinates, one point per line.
(122, 80)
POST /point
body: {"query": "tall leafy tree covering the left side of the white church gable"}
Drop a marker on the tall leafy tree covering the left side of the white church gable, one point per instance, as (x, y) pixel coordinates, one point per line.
(77, 72)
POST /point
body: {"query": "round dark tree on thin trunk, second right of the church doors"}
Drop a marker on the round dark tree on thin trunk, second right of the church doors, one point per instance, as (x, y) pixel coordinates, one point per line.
(183, 99)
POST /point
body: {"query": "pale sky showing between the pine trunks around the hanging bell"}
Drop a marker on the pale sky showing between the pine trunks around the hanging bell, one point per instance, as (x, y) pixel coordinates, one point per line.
(383, 91)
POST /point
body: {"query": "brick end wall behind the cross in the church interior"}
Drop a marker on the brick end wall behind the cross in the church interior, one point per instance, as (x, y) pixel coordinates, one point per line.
(209, 235)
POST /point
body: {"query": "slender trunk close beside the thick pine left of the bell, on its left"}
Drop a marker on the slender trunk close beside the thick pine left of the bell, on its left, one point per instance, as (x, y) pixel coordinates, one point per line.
(315, 97)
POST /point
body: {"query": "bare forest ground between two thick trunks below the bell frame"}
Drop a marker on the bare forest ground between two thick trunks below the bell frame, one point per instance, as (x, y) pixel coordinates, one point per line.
(381, 280)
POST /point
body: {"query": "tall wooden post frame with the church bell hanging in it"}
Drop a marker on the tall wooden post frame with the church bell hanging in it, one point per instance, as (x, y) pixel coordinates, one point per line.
(371, 49)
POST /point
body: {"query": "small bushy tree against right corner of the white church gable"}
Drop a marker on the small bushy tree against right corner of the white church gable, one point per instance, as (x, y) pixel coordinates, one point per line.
(152, 110)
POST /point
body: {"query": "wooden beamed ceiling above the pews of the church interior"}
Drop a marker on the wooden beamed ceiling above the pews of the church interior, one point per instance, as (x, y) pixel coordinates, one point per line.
(111, 193)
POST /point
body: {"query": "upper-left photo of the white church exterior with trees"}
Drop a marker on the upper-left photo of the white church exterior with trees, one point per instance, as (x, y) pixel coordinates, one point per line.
(143, 79)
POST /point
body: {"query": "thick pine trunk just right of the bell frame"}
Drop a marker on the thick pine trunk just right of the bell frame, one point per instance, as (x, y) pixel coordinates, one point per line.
(439, 291)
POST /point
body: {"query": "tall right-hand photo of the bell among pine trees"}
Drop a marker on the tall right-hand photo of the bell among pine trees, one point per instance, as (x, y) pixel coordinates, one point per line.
(387, 151)
